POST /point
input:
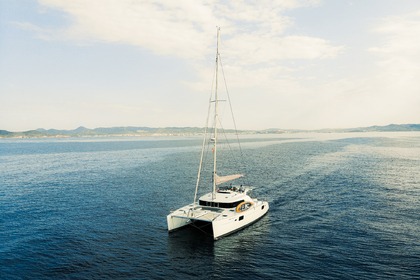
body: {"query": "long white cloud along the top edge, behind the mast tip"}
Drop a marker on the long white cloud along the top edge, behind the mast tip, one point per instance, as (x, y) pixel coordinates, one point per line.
(182, 28)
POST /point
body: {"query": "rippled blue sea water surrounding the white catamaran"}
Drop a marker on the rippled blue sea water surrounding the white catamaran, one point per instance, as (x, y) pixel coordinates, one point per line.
(342, 206)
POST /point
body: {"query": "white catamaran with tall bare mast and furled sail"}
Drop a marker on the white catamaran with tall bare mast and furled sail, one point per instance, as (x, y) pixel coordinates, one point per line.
(227, 208)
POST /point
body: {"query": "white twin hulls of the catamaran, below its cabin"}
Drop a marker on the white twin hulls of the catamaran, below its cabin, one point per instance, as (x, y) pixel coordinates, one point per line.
(216, 221)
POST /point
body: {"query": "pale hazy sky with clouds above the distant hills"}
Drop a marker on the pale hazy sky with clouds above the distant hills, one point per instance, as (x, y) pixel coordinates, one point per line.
(289, 64)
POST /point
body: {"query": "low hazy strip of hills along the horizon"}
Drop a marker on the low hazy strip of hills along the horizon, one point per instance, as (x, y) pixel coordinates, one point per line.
(167, 131)
